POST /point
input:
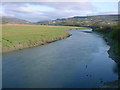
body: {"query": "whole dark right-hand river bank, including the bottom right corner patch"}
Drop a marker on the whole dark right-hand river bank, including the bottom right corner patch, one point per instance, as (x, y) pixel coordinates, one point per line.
(111, 35)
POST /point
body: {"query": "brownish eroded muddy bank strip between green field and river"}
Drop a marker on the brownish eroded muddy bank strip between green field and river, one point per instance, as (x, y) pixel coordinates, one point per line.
(31, 44)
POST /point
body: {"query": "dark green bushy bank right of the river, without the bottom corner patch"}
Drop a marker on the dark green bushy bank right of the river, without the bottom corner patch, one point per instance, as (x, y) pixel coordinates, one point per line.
(111, 35)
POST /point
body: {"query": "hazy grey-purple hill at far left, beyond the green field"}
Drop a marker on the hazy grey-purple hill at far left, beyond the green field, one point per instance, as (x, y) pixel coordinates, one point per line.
(13, 20)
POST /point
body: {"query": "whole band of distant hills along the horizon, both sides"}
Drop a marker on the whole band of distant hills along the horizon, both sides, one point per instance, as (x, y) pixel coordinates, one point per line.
(73, 21)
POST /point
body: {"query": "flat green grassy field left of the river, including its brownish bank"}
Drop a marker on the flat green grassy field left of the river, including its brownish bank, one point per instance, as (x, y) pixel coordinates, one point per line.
(16, 37)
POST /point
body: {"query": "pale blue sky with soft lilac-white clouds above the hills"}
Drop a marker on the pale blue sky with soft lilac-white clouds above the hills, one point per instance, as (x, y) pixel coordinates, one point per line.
(41, 11)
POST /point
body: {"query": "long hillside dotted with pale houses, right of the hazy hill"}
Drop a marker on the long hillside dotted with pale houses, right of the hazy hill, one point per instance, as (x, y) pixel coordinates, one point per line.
(84, 21)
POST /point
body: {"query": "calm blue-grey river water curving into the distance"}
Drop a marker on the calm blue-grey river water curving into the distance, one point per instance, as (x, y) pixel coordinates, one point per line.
(80, 61)
